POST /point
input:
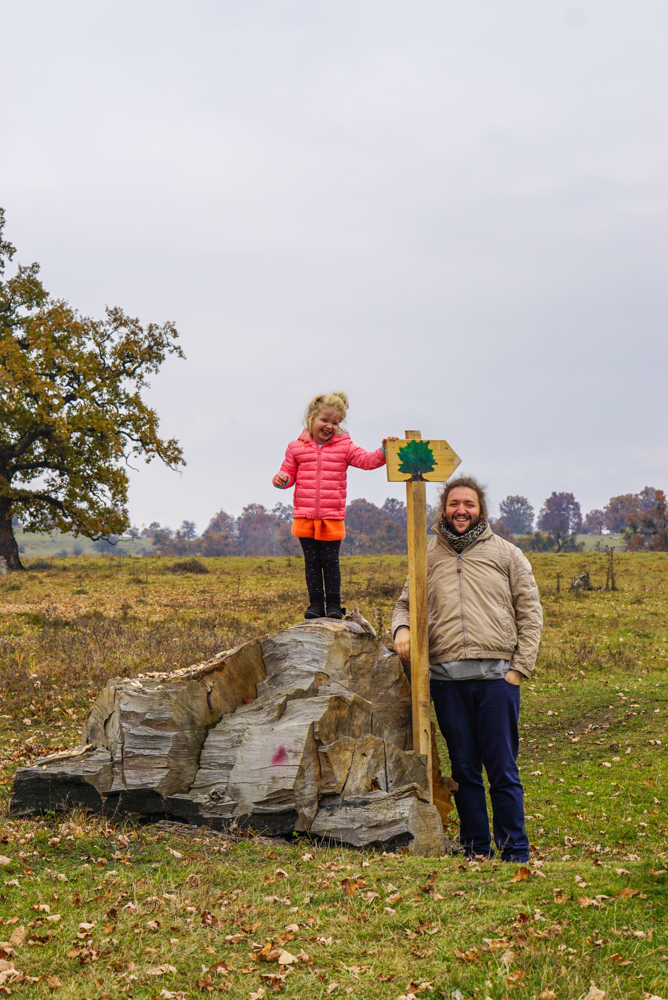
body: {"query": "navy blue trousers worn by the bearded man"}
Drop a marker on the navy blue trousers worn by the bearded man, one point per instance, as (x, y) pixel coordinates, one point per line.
(479, 720)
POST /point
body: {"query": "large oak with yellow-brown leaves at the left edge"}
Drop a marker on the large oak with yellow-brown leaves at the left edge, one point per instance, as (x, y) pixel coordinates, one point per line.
(71, 411)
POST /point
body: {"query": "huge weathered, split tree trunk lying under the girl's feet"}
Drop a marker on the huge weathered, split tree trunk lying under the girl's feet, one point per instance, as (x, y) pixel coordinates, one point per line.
(307, 729)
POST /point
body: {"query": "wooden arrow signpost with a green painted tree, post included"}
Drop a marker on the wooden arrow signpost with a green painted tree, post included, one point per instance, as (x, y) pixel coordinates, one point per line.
(415, 462)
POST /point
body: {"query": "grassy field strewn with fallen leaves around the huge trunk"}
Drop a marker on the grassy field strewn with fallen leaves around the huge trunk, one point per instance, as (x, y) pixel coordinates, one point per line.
(92, 909)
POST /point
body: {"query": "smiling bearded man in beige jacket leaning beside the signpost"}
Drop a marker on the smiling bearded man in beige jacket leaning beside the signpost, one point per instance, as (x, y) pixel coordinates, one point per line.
(485, 621)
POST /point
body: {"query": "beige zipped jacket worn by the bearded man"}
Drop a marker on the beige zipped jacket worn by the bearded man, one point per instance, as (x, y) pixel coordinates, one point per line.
(483, 603)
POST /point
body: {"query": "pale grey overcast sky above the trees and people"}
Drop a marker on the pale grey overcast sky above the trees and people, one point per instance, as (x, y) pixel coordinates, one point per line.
(456, 212)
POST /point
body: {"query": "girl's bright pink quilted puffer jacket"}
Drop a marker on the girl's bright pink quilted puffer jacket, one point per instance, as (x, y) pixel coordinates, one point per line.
(319, 474)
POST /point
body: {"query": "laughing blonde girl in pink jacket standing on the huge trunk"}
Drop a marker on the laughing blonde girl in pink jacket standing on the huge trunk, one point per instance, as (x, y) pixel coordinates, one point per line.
(316, 465)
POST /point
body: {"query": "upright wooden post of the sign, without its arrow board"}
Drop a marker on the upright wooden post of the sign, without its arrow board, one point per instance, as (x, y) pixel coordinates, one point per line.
(416, 509)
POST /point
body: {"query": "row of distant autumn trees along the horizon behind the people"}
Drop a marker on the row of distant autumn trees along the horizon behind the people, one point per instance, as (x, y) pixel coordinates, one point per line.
(641, 518)
